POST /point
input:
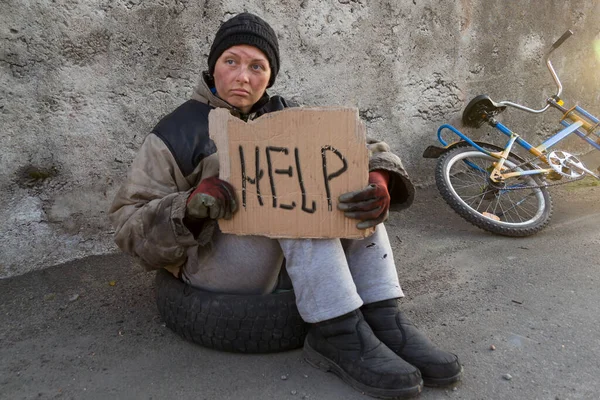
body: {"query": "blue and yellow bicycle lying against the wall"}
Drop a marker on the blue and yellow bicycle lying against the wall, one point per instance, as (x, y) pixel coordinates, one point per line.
(494, 188)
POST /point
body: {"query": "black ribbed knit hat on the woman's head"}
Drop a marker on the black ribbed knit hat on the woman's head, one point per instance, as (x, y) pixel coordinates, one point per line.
(246, 28)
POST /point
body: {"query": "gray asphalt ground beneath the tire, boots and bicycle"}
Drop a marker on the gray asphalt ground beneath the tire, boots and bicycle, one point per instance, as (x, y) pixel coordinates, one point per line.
(535, 299)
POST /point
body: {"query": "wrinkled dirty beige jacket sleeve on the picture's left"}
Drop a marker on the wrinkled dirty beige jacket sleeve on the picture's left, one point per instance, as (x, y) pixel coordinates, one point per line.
(149, 209)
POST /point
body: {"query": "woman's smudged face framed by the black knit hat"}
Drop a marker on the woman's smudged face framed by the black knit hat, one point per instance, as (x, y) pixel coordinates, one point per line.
(241, 76)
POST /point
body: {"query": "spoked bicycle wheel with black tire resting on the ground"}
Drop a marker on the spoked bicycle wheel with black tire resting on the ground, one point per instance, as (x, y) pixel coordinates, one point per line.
(516, 207)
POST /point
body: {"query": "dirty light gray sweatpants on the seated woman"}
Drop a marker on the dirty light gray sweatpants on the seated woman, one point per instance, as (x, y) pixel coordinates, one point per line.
(331, 277)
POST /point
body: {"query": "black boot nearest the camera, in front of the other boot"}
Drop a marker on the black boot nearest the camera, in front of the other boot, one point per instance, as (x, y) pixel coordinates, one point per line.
(347, 346)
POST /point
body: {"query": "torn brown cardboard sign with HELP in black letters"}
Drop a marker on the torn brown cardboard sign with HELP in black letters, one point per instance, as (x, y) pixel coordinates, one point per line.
(289, 168)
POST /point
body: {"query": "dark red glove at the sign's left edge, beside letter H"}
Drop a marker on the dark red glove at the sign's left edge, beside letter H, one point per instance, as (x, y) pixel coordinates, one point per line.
(213, 198)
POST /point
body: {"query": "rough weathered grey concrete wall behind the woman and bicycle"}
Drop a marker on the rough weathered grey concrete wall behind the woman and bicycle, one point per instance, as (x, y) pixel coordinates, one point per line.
(82, 82)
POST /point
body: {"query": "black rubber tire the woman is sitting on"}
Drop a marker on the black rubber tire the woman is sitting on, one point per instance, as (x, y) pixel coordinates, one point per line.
(235, 323)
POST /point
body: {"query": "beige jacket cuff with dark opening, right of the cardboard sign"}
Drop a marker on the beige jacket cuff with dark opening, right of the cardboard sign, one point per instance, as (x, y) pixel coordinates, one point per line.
(402, 191)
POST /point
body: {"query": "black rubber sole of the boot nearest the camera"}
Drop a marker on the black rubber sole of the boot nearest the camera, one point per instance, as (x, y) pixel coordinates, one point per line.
(323, 363)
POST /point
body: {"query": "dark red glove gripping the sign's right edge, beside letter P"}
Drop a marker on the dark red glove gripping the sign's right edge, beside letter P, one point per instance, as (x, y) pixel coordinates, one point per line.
(370, 205)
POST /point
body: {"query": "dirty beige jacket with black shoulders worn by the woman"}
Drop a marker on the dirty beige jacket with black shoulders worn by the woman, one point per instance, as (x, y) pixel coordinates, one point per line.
(148, 210)
